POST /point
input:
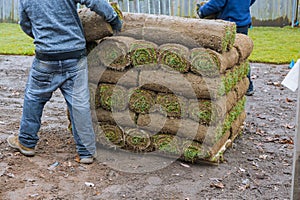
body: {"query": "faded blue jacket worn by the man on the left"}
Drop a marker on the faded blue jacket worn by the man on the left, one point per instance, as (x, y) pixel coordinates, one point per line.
(55, 25)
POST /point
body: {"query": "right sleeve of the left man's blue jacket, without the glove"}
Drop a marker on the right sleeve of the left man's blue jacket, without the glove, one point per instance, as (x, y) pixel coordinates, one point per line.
(101, 7)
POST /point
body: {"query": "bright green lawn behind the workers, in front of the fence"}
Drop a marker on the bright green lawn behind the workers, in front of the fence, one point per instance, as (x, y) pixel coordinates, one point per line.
(271, 44)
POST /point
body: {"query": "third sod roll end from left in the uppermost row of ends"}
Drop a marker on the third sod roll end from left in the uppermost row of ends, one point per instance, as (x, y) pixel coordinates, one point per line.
(175, 56)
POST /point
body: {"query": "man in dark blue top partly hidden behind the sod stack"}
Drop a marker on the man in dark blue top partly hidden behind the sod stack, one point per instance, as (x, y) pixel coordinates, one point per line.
(237, 11)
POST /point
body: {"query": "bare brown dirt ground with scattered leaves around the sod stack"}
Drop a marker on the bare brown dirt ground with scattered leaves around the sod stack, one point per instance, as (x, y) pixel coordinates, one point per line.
(258, 166)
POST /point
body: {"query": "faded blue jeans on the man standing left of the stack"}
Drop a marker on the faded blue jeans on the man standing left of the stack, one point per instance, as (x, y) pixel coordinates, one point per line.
(71, 77)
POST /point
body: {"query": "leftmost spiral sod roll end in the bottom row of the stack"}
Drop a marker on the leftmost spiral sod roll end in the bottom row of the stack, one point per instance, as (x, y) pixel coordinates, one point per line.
(110, 135)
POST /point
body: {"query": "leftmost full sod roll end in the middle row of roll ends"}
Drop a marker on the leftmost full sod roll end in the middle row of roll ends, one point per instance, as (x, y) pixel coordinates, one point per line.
(111, 97)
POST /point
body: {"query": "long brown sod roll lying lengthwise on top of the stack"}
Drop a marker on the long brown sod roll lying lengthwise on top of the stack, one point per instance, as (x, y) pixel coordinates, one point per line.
(214, 34)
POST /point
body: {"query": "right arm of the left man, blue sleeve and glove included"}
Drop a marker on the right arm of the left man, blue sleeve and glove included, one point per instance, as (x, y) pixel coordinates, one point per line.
(104, 9)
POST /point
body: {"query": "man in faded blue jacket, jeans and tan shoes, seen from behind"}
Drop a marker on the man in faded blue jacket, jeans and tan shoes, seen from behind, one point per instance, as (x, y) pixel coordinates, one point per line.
(60, 62)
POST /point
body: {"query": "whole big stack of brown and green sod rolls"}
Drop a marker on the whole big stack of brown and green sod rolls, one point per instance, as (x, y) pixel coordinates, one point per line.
(169, 85)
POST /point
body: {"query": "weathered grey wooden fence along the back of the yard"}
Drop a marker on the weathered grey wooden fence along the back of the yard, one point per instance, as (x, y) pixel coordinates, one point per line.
(264, 12)
